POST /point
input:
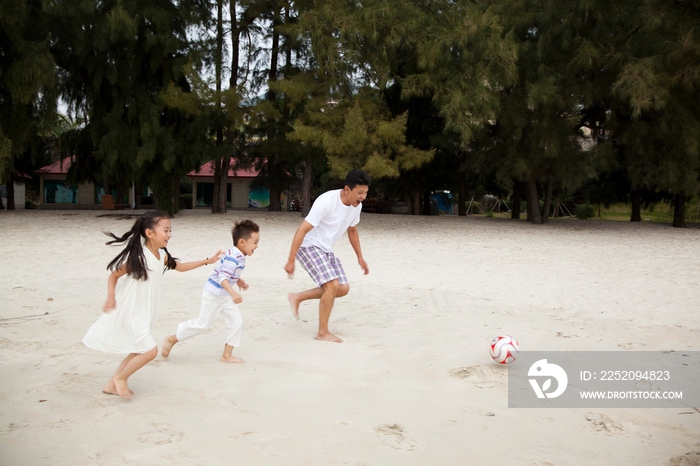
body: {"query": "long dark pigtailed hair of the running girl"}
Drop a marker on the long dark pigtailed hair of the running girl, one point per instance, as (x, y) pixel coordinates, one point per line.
(132, 255)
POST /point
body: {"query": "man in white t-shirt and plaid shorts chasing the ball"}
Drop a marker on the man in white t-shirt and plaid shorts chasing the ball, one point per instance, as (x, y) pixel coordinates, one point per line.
(333, 213)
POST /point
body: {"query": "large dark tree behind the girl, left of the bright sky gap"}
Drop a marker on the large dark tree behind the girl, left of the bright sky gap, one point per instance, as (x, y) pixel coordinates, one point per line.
(116, 58)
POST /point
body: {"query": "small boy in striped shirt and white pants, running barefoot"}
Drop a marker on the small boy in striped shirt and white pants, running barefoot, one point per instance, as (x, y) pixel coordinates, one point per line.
(219, 296)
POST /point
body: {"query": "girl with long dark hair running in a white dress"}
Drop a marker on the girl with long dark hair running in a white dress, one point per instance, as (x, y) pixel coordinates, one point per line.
(128, 320)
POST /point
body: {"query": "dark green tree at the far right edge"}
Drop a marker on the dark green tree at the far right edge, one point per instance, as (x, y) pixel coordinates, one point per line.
(658, 82)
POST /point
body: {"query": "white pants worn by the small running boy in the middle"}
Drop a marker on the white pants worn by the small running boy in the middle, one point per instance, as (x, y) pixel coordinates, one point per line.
(211, 306)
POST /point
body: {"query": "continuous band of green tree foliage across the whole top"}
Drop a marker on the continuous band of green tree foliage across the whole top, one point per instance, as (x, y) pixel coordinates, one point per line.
(469, 95)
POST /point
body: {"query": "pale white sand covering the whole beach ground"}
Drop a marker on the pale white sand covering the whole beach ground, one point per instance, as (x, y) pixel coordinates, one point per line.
(439, 289)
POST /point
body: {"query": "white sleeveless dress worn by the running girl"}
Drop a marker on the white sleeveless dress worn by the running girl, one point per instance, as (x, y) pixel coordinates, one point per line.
(128, 327)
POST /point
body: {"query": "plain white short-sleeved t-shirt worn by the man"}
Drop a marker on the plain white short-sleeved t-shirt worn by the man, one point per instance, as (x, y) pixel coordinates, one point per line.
(330, 219)
